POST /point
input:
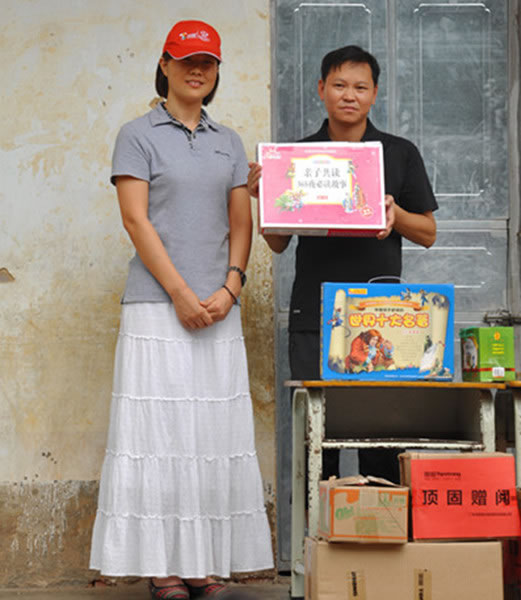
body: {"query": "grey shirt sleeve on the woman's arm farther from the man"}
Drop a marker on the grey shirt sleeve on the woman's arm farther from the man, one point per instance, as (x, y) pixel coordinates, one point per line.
(130, 157)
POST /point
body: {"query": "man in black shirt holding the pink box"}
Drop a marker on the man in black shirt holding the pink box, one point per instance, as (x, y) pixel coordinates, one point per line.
(348, 88)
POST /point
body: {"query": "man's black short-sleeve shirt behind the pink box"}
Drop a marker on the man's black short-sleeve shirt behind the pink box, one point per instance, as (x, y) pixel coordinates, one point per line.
(354, 259)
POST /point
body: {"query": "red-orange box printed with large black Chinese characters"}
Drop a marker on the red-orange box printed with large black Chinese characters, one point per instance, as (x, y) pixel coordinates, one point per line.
(461, 496)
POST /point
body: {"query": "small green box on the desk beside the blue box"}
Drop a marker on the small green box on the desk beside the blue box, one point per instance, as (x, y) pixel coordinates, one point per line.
(487, 354)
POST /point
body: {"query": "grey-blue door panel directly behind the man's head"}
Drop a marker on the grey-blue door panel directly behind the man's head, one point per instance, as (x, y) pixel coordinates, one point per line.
(305, 32)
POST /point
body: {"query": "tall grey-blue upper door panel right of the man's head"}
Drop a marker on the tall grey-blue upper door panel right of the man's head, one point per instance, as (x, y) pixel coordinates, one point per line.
(451, 101)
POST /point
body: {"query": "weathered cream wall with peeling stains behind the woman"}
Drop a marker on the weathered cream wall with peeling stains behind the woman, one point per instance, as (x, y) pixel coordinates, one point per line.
(72, 74)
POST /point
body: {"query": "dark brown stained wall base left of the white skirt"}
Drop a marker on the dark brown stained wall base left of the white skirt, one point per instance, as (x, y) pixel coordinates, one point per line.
(46, 530)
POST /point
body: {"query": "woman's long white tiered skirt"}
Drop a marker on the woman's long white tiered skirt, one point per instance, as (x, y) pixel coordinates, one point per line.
(180, 490)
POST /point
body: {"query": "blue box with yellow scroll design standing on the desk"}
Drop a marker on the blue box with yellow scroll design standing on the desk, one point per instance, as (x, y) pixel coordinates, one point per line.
(381, 331)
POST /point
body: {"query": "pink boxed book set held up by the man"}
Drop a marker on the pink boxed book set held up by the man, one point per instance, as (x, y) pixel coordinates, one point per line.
(321, 188)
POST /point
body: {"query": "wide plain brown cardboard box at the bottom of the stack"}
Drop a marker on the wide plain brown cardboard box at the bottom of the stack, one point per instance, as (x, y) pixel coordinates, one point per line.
(451, 571)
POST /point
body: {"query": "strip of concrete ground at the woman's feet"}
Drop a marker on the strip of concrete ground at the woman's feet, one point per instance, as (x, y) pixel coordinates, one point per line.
(266, 591)
